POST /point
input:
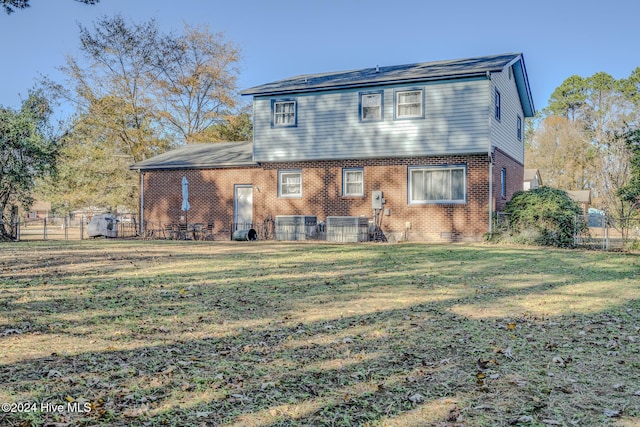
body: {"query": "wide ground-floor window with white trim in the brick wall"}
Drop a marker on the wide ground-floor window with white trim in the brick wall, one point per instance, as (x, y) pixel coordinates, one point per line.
(437, 184)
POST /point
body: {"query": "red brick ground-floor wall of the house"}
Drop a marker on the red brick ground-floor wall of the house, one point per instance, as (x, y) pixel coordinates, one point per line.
(212, 191)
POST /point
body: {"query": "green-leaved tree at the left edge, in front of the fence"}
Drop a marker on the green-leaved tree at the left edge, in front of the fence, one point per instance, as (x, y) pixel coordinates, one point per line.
(27, 150)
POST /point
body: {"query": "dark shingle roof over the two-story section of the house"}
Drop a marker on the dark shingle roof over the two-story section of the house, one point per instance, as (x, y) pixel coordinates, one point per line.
(397, 73)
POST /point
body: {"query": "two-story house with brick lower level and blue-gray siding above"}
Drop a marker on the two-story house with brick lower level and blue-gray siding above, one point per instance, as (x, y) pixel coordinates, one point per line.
(443, 141)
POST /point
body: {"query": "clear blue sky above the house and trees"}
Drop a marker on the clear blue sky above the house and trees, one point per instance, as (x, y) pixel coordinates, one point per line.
(284, 38)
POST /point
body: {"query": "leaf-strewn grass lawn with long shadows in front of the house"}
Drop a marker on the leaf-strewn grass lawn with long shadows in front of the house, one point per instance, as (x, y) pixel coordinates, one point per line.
(267, 334)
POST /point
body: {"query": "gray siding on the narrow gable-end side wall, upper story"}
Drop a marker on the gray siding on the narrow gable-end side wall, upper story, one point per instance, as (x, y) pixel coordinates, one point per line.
(504, 132)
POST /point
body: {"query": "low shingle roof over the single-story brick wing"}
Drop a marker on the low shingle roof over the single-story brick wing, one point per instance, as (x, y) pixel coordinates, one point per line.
(201, 156)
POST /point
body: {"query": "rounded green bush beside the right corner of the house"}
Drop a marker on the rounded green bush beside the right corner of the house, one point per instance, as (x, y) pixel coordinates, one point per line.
(544, 216)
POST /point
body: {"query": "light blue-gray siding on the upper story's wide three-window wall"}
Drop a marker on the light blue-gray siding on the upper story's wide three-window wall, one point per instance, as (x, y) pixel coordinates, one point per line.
(329, 126)
